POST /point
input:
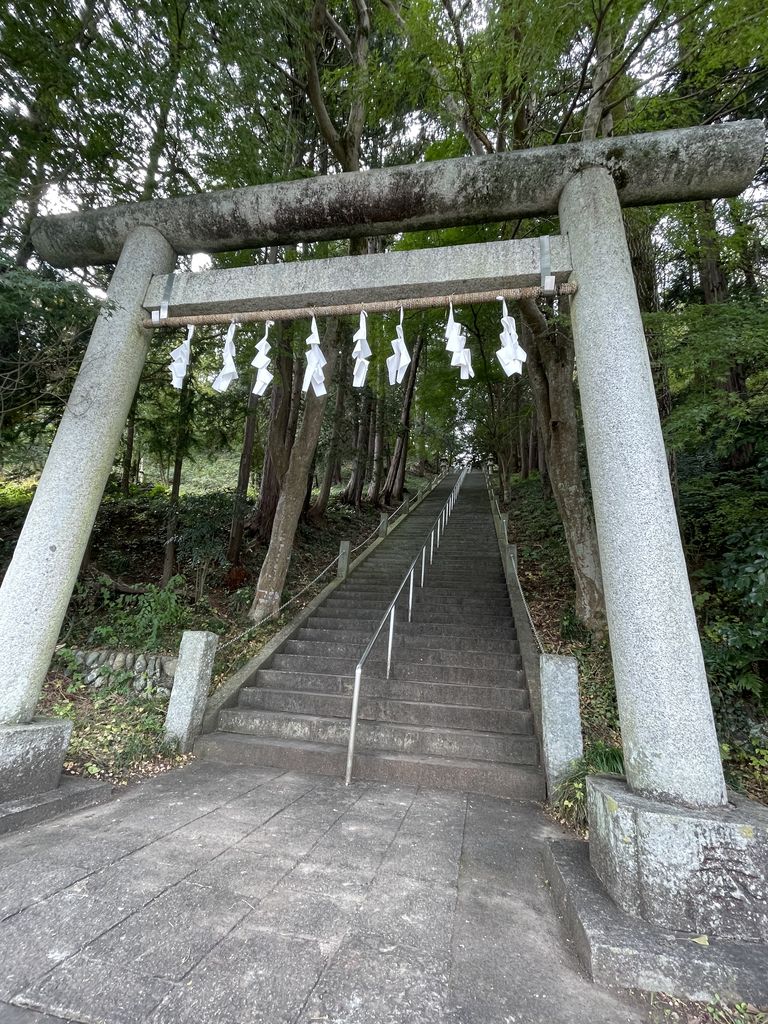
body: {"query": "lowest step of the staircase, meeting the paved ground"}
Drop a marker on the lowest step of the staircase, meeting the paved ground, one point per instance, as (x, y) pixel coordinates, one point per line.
(513, 782)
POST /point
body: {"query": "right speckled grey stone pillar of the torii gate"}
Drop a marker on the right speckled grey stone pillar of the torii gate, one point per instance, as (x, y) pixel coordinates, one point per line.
(668, 730)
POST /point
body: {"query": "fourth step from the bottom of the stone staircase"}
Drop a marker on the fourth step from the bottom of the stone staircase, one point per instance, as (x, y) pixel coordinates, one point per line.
(514, 698)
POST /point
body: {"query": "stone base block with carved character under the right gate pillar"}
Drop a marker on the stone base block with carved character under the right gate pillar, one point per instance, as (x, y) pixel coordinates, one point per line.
(704, 872)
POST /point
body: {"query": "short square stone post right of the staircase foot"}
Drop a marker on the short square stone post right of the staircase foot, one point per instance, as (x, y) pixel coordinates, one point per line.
(562, 720)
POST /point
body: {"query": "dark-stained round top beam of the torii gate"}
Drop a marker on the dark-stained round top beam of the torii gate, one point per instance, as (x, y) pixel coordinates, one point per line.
(659, 167)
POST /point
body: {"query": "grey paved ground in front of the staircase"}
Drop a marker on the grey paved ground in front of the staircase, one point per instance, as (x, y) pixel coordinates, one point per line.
(222, 895)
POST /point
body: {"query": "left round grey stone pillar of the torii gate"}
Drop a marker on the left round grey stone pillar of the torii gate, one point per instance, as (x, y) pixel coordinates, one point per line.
(39, 582)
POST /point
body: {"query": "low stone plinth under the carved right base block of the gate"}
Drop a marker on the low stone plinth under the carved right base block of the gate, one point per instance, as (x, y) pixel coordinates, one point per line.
(621, 952)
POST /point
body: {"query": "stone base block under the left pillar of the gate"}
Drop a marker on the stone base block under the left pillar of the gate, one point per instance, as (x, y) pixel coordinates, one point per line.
(32, 756)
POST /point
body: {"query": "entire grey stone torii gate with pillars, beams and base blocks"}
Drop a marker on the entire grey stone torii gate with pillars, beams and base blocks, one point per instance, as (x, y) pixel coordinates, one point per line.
(648, 835)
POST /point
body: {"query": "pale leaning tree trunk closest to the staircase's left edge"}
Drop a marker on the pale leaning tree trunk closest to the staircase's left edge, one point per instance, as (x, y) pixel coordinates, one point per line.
(278, 561)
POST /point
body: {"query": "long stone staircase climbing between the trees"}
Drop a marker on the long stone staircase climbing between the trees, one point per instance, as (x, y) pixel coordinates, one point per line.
(455, 712)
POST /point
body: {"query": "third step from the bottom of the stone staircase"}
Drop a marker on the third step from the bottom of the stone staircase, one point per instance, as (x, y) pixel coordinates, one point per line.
(383, 710)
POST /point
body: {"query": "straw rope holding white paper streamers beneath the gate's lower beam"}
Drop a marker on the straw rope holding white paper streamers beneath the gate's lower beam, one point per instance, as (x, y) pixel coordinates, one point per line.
(351, 310)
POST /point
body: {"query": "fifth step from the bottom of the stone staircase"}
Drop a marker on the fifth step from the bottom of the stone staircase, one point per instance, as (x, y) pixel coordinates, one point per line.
(402, 668)
